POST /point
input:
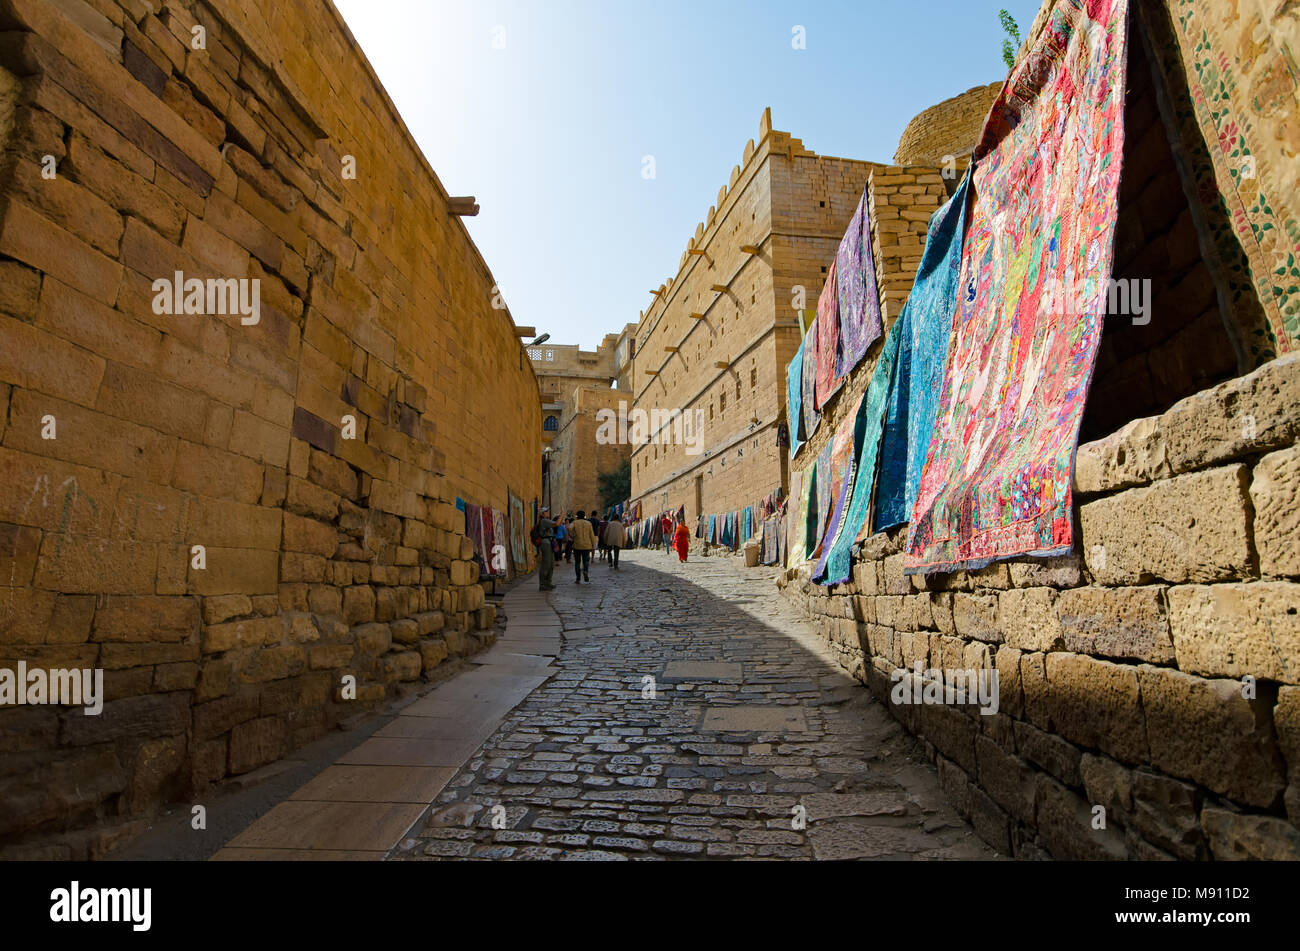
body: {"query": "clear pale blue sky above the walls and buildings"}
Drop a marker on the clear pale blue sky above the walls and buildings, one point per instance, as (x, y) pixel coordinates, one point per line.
(547, 110)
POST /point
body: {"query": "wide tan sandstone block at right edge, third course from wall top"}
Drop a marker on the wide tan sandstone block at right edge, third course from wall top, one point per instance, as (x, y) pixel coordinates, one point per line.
(1237, 631)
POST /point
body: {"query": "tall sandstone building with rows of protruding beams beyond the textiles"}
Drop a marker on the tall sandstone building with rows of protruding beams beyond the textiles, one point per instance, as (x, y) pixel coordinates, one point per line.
(770, 237)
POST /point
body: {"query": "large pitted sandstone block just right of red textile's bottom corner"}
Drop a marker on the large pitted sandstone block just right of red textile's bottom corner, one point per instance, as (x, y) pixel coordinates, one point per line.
(1190, 528)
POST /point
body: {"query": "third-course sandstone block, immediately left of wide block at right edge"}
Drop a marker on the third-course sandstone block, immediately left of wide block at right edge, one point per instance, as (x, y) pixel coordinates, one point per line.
(1117, 623)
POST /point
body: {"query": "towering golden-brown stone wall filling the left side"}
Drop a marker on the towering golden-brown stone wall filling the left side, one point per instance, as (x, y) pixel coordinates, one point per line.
(326, 555)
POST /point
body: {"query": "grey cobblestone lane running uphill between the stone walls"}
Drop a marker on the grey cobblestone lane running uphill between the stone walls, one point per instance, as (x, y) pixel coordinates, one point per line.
(694, 715)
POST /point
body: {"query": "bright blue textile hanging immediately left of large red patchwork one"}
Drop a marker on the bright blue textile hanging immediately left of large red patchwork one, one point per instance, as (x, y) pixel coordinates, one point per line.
(920, 370)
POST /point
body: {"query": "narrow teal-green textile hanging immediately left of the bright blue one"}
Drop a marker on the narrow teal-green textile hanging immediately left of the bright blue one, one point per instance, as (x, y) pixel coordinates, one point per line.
(835, 567)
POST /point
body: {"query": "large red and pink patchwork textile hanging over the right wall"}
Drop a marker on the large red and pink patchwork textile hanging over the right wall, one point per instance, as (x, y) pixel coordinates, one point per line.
(1035, 270)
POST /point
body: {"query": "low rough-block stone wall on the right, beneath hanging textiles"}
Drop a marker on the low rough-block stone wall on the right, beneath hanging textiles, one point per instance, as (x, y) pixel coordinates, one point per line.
(1155, 672)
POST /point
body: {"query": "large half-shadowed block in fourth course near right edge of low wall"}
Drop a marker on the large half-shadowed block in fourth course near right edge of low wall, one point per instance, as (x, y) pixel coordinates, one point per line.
(1207, 732)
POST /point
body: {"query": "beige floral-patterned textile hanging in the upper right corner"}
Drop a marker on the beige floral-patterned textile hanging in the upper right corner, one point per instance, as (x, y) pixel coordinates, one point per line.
(1217, 73)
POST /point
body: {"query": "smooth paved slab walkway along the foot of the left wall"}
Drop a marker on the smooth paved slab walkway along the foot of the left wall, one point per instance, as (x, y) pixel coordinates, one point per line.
(361, 807)
